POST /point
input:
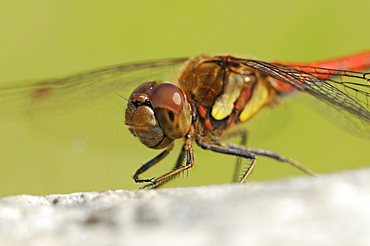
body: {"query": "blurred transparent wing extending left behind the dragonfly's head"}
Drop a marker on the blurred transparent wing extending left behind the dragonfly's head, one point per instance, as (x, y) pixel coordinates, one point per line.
(87, 106)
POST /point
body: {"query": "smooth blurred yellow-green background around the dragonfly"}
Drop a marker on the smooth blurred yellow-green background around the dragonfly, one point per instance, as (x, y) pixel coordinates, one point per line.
(50, 38)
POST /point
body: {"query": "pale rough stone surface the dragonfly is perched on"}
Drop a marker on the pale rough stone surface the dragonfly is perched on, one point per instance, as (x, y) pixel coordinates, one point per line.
(333, 210)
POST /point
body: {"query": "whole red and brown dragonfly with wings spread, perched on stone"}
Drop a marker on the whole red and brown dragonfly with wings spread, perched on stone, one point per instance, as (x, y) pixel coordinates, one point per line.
(204, 104)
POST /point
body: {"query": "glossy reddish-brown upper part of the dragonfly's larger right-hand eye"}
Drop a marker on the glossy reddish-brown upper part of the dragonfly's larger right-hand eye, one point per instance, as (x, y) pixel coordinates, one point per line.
(167, 96)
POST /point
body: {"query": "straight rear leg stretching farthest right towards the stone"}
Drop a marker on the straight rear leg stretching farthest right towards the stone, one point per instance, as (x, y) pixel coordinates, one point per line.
(275, 156)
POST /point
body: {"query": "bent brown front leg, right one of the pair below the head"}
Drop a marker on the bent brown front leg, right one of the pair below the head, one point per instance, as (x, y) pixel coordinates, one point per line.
(186, 153)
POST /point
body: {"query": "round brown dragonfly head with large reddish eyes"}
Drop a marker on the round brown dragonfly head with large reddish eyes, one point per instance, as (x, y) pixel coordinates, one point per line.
(158, 114)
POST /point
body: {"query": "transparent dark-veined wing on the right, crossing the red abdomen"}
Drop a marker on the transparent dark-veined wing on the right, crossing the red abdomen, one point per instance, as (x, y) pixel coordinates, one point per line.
(346, 92)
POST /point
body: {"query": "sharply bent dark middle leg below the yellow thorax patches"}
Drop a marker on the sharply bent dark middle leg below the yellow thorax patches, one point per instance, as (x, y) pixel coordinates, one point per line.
(234, 150)
